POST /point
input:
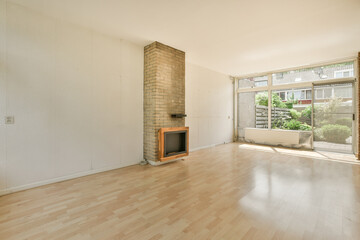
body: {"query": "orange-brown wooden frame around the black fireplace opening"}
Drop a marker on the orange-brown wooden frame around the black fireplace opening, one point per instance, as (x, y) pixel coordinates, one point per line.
(161, 143)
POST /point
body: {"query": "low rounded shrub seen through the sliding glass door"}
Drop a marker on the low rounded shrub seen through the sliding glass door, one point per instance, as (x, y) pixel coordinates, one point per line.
(335, 133)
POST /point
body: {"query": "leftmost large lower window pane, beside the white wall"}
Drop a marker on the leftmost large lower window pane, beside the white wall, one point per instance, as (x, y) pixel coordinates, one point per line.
(252, 111)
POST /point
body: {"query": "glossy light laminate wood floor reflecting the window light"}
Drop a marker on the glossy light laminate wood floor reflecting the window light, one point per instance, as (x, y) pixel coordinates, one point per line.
(226, 192)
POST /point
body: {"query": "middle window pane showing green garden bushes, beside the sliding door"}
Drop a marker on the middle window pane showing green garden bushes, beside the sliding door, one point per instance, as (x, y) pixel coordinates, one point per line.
(294, 113)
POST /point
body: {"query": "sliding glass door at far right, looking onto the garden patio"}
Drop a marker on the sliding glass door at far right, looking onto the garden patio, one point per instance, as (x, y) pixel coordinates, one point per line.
(333, 117)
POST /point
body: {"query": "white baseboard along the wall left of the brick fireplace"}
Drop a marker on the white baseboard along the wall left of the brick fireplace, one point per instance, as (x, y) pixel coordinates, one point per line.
(60, 179)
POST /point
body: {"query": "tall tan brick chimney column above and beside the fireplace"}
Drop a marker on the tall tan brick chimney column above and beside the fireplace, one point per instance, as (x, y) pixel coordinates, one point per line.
(164, 93)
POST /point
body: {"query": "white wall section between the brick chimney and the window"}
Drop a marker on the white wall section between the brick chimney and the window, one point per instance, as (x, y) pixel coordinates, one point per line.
(209, 106)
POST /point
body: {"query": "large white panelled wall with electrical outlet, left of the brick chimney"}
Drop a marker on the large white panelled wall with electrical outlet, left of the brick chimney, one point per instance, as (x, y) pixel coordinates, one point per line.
(76, 96)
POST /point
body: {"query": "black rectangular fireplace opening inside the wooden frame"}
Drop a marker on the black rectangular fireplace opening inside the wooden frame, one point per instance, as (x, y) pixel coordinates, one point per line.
(174, 143)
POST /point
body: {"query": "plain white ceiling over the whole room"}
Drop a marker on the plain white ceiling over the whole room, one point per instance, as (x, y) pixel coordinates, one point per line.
(229, 36)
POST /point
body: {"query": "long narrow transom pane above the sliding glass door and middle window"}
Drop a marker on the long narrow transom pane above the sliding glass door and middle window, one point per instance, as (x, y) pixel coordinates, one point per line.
(316, 73)
